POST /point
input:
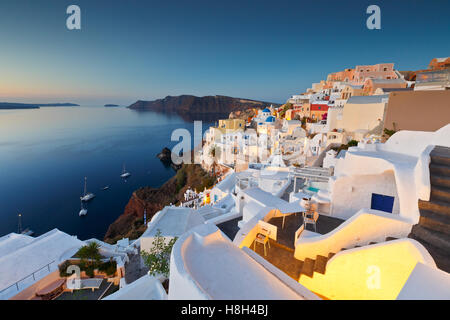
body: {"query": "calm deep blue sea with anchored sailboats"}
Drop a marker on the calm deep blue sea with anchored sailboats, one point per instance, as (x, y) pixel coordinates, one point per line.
(46, 153)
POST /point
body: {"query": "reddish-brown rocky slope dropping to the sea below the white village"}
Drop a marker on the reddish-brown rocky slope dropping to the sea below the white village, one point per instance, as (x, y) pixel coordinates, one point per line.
(130, 223)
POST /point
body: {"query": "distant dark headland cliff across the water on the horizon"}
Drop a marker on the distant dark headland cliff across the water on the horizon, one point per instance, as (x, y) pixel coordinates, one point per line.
(187, 104)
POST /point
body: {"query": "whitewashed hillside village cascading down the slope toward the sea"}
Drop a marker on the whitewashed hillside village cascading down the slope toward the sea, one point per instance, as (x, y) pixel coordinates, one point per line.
(343, 192)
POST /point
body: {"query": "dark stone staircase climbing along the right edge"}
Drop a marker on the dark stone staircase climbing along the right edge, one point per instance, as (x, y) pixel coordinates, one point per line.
(433, 229)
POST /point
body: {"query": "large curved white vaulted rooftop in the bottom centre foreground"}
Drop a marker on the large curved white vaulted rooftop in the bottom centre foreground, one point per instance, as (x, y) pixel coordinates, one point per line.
(223, 271)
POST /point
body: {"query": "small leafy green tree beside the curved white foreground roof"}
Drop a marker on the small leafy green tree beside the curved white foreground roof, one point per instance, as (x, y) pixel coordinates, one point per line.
(157, 259)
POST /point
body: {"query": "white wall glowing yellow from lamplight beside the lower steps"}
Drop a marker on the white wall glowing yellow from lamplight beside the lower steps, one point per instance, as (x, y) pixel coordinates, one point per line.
(373, 272)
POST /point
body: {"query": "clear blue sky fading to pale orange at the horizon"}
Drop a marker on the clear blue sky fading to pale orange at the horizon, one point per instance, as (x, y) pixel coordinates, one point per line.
(148, 49)
